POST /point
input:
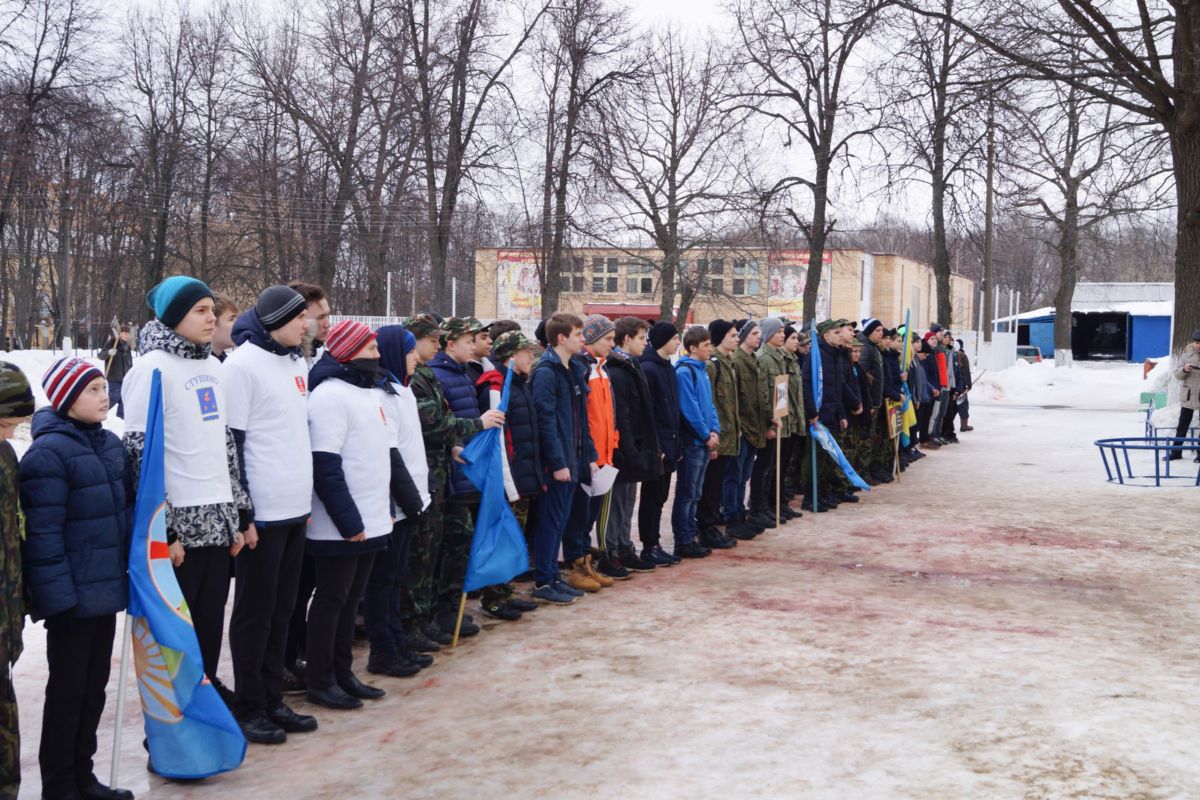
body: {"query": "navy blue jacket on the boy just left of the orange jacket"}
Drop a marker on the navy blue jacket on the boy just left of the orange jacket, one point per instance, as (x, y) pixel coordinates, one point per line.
(561, 398)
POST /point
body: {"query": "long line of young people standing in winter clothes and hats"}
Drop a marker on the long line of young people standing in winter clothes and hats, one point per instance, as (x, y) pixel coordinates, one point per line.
(320, 466)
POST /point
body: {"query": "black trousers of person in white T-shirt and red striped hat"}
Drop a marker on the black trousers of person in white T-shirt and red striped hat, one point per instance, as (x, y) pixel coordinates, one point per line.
(335, 607)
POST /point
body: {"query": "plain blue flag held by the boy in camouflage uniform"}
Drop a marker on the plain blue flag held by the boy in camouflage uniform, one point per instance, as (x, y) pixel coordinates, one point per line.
(499, 551)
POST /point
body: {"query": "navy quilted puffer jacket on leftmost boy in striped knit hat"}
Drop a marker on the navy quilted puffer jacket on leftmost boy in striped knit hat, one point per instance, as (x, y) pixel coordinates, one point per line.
(74, 491)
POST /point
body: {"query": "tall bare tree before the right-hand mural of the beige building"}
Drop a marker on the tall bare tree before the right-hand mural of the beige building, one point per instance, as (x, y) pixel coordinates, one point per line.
(801, 70)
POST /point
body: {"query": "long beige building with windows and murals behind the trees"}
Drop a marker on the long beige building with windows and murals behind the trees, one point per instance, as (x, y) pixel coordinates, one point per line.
(724, 282)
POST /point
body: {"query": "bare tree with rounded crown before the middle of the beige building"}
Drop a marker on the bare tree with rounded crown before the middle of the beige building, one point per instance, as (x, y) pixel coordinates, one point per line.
(670, 154)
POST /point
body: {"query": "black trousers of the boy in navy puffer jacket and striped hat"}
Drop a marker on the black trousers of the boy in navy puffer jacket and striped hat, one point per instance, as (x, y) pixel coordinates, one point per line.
(80, 652)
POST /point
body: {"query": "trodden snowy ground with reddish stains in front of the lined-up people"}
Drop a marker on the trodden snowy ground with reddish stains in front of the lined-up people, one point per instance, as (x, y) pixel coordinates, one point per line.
(1000, 624)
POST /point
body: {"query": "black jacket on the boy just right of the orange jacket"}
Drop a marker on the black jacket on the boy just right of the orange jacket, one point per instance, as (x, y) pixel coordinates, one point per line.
(638, 455)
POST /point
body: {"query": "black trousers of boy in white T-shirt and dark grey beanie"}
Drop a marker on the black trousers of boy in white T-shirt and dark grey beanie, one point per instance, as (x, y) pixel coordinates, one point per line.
(263, 598)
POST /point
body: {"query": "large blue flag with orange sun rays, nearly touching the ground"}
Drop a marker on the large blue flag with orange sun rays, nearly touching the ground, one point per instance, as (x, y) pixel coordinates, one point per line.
(190, 731)
